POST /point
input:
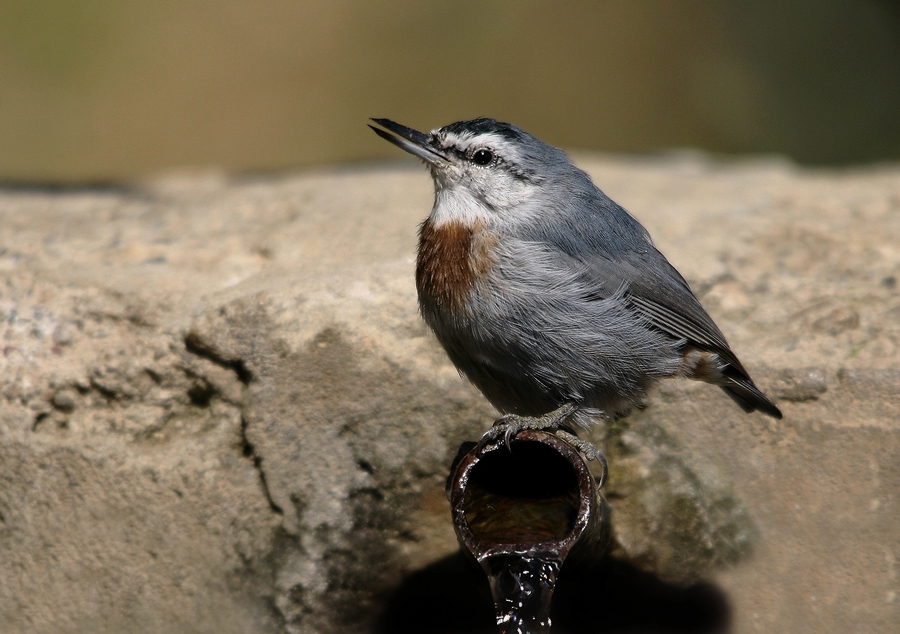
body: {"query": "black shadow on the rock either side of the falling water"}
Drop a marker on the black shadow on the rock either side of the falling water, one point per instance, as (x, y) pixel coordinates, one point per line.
(452, 596)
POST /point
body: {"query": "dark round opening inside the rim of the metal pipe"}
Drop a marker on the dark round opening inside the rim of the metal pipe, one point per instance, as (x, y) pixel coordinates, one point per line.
(525, 496)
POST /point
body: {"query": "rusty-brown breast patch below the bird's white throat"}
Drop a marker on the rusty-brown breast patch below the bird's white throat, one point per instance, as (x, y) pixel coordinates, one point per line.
(453, 257)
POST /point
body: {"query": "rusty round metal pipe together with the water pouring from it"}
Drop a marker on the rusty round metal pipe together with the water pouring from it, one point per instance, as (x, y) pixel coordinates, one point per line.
(521, 512)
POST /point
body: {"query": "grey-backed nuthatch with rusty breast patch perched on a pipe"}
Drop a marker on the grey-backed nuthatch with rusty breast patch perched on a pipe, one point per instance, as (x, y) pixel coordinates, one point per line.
(547, 295)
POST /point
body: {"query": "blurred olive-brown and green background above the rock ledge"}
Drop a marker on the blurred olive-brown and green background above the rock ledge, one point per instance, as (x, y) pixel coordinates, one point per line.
(97, 90)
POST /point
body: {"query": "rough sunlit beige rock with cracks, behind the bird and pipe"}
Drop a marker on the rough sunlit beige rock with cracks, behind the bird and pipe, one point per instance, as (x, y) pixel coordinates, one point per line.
(221, 412)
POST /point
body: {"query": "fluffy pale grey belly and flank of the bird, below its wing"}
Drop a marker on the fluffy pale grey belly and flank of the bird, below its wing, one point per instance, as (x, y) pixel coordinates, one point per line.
(531, 336)
